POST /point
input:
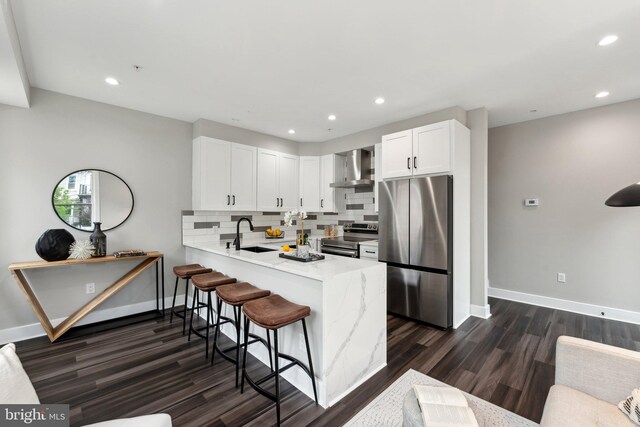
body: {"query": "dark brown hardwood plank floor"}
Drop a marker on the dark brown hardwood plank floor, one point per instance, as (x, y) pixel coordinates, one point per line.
(150, 367)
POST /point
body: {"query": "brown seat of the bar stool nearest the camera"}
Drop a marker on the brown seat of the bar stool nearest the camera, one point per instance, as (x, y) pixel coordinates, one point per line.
(274, 312)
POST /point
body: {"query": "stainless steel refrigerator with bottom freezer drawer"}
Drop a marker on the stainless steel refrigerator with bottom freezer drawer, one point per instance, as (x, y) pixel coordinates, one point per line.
(416, 242)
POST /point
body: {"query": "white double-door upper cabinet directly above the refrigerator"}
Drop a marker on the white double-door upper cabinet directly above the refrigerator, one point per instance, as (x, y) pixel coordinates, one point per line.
(426, 150)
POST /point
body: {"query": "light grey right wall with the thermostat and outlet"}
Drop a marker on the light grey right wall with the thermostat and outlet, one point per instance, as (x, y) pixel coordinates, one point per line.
(572, 163)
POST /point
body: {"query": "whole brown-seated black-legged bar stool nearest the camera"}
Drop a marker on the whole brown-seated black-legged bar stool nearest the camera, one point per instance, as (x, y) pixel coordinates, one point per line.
(273, 313)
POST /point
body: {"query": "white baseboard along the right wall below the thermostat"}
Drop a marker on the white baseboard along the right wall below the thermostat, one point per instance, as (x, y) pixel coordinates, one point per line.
(566, 305)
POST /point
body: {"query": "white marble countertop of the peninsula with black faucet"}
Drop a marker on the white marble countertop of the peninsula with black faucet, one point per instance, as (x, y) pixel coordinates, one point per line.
(322, 270)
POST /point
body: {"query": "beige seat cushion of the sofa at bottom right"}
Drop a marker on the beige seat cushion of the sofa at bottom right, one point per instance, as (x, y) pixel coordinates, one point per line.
(568, 407)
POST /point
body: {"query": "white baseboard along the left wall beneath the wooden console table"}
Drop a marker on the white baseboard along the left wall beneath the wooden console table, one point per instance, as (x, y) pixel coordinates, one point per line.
(34, 330)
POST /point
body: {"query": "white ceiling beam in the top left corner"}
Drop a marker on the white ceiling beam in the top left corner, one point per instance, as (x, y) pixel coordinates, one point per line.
(14, 82)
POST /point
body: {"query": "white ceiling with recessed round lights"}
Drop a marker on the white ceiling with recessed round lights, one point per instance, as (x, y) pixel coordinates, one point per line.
(280, 64)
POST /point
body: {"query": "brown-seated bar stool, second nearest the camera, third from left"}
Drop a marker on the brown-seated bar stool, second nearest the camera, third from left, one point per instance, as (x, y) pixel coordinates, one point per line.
(236, 296)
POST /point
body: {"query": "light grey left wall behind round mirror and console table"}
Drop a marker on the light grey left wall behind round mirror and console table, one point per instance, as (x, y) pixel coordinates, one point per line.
(60, 134)
